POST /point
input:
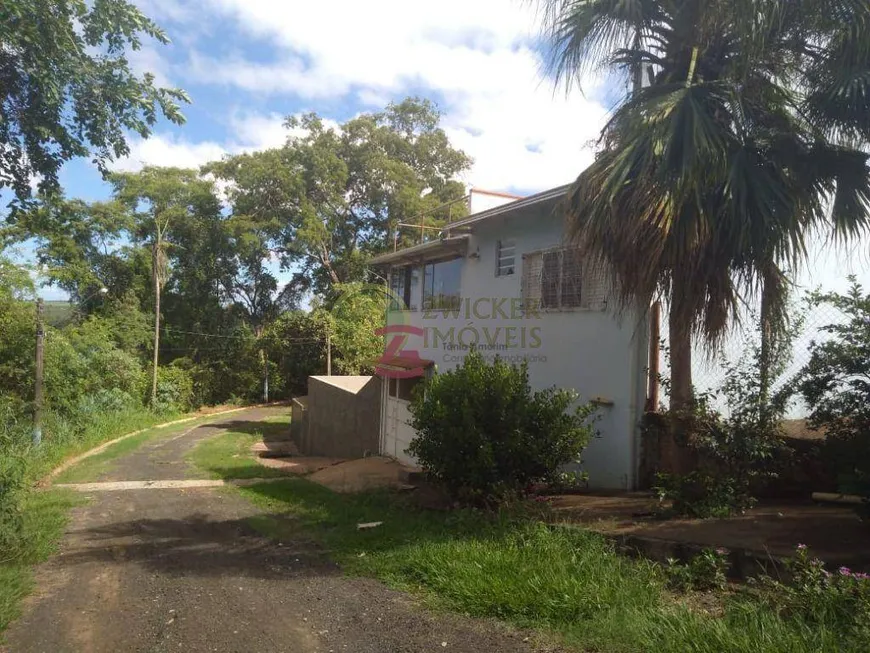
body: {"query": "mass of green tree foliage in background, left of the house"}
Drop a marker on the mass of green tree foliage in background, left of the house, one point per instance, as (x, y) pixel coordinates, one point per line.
(225, 320)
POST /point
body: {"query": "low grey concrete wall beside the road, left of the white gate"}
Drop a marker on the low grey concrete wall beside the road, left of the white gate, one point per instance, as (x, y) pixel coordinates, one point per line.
(343, 416)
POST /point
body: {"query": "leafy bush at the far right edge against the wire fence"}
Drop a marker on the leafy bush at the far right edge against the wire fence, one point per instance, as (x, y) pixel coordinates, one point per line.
(834, 386)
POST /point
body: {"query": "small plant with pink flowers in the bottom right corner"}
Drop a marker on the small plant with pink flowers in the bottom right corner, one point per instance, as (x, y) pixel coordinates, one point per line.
(819, 596)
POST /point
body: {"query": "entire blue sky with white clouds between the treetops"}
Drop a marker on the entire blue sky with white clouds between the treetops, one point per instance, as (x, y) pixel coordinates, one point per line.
(247, 64)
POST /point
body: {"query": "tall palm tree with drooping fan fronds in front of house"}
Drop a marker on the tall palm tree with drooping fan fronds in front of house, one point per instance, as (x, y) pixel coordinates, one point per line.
(711, 174)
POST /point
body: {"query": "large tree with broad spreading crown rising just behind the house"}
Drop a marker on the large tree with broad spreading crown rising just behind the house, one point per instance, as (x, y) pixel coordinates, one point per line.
(337, 193)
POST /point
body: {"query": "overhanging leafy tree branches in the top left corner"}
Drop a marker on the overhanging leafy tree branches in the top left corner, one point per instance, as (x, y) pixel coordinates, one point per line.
(67, 88)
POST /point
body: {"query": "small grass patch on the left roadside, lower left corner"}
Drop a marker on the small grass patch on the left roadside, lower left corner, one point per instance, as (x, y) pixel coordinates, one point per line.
(44, 517)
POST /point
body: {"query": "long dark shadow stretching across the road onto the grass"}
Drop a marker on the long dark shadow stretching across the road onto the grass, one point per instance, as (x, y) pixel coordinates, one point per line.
(308, 527)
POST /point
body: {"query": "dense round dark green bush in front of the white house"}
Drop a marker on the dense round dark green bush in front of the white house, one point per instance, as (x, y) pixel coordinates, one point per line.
(487, 437)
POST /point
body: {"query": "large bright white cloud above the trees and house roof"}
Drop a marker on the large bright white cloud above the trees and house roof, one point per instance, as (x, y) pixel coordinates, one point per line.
(478, 56)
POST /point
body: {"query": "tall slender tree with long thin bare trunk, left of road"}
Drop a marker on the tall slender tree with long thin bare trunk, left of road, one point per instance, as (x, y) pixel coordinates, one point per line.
(162, 199)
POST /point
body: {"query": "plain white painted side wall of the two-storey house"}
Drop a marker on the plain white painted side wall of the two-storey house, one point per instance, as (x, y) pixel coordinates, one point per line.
(590, 350)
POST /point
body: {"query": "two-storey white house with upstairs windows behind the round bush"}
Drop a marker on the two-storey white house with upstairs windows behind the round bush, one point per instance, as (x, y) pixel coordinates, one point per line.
(504, 280)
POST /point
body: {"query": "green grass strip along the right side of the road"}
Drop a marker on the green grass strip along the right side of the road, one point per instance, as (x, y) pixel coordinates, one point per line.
(512, 566)
